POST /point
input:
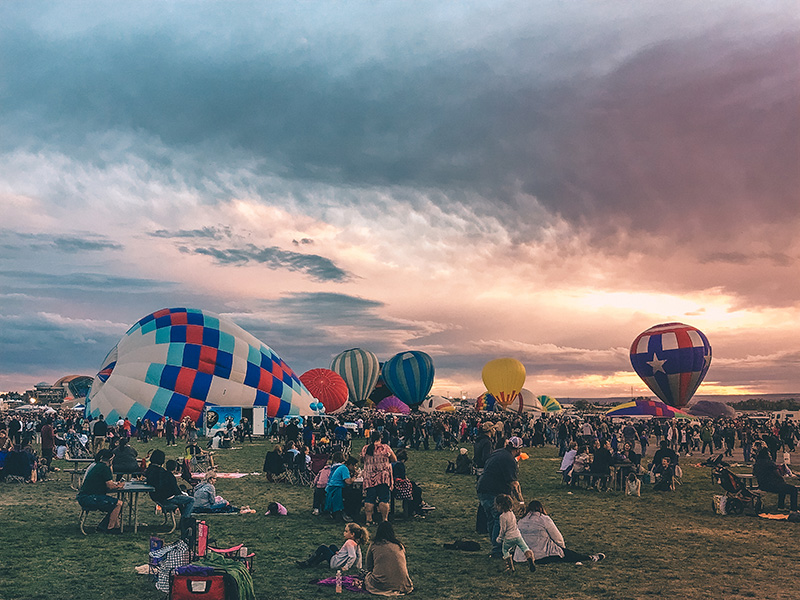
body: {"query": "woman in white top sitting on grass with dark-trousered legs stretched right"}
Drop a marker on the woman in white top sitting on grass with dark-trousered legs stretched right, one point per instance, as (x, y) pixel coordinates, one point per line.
(545, 540)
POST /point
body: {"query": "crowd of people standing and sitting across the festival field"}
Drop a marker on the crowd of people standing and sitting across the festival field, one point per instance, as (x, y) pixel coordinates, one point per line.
(317, 451)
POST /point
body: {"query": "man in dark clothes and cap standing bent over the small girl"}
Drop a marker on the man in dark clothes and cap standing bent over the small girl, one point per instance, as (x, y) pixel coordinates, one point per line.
(500, 476)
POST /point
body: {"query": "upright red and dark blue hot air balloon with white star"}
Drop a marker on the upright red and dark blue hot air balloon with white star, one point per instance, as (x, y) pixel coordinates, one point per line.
(672, 359)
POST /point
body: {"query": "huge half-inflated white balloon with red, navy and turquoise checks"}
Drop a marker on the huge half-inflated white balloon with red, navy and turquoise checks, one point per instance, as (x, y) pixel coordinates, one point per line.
(176, 361)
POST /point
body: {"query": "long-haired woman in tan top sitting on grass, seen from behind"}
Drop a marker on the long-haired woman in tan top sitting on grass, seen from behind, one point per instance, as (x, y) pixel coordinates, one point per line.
(386, 564)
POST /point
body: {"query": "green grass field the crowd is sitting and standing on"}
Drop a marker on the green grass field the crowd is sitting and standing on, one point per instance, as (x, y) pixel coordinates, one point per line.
(658, 546)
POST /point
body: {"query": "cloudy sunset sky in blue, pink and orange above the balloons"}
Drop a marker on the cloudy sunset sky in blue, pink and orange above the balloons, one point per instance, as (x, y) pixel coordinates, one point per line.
(541, 180)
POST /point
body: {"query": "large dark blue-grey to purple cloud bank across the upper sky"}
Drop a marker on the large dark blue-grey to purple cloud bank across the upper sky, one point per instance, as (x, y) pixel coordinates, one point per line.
(675, 137)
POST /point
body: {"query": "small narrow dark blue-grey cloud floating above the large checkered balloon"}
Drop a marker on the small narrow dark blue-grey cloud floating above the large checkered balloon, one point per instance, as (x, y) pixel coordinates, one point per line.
(317, 267)
